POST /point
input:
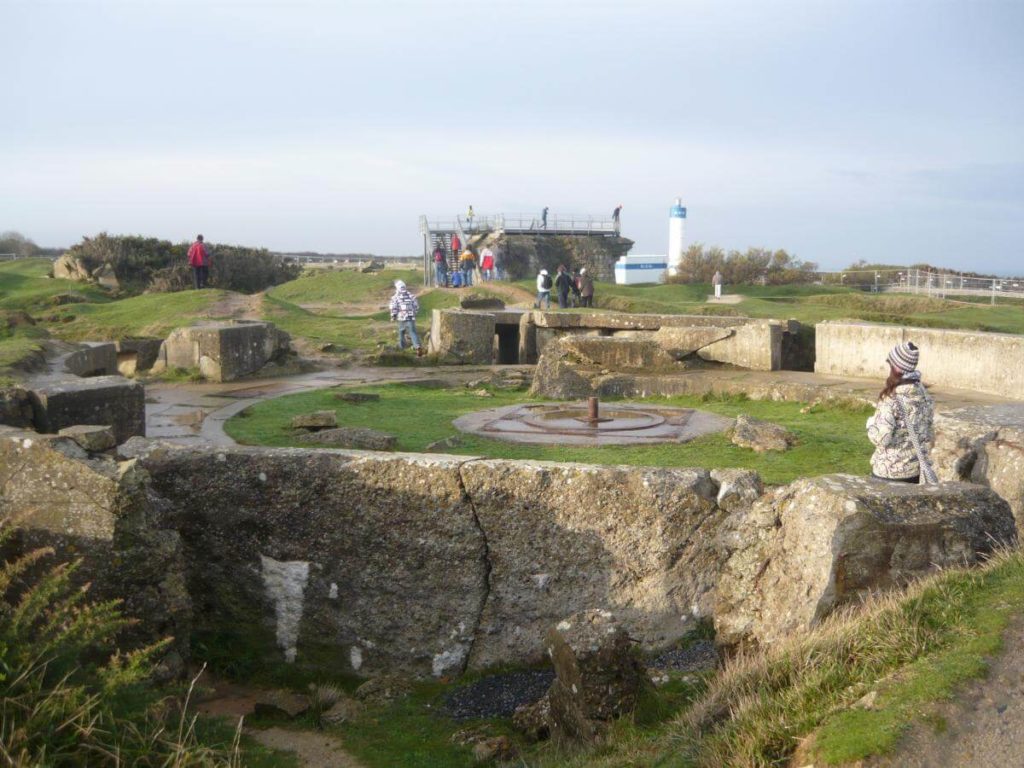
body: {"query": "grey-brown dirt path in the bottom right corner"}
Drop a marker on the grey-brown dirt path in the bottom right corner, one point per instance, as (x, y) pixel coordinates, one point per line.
(986, 722)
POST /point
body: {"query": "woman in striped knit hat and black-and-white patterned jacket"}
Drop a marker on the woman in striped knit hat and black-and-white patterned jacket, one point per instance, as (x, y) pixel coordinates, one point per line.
(901, 430)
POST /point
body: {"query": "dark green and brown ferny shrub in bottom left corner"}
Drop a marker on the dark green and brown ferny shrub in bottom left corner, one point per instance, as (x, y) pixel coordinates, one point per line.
(69, 698)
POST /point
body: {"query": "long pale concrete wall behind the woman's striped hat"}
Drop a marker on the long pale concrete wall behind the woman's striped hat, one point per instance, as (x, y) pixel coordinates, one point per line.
(966, 360)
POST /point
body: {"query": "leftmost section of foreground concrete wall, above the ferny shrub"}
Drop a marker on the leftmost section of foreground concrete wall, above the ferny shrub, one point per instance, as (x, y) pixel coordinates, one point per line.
(100, 511)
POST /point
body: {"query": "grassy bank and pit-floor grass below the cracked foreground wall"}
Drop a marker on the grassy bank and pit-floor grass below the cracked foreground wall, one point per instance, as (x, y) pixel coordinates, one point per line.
(913, 650)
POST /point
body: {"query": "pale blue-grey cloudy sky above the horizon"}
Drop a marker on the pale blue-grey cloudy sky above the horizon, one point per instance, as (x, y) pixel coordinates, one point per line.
(890, 132)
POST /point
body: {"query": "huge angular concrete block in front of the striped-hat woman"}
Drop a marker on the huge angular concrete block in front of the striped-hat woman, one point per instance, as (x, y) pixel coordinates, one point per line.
(819, 544)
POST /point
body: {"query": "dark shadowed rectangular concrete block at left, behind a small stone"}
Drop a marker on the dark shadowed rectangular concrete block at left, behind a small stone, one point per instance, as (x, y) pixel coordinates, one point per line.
(109, 401)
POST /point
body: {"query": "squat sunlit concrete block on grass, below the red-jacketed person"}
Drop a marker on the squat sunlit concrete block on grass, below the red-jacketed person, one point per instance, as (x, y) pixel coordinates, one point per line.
(224, 352)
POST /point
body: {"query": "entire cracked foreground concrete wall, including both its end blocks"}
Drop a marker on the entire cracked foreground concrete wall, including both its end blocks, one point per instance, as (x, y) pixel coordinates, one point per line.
(436, 565)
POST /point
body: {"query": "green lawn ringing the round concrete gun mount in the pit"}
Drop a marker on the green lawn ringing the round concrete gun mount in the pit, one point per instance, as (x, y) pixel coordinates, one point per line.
(830, 439)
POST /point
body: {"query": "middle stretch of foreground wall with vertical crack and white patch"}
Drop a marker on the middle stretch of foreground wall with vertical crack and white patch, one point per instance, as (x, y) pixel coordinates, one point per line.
(431, 565)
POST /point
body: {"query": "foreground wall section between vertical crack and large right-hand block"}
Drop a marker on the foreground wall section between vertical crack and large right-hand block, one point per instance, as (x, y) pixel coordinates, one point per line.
(564, 538)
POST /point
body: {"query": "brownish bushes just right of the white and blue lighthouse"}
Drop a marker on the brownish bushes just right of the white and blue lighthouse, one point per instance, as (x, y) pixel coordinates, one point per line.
(753, 266)
